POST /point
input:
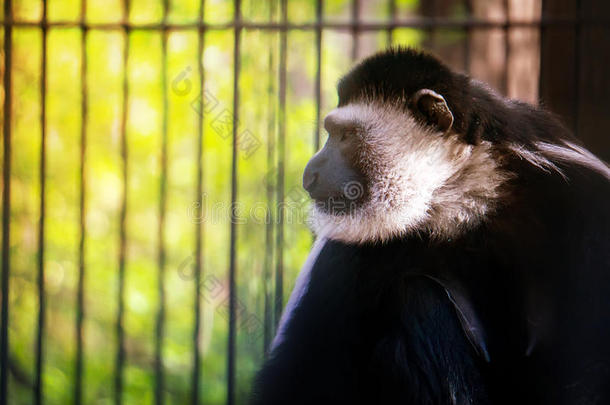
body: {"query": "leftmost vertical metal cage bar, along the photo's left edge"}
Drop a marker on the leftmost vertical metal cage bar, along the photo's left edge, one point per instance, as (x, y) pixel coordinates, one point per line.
(6, 199)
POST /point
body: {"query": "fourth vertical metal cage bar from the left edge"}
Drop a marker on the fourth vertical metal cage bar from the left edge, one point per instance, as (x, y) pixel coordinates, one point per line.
(120, 333)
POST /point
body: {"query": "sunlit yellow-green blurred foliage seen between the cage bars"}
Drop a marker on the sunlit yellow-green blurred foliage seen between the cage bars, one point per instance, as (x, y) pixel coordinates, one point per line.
(258, 85)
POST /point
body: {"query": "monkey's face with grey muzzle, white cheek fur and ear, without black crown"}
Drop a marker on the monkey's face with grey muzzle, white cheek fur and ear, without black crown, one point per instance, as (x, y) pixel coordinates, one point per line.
(386, 171)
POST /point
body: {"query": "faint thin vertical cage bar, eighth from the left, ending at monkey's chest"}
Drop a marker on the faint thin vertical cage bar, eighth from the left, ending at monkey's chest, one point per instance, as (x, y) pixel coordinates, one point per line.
(269, 224)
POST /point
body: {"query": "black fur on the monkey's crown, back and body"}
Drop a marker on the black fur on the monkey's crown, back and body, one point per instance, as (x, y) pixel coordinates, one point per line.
(376, 324)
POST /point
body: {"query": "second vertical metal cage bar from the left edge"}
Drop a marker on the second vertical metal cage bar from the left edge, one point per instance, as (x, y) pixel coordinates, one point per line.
(41, 224)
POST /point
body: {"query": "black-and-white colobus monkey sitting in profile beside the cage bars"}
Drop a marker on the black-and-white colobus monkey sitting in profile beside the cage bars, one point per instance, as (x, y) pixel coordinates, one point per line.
(463, 251)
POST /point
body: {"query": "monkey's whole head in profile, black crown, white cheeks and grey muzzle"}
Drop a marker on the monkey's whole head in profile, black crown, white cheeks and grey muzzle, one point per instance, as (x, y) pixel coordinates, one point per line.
(398, 159)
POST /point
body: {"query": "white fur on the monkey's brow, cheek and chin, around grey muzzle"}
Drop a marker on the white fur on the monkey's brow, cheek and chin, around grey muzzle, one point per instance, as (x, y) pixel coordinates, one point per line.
(419, 180)
